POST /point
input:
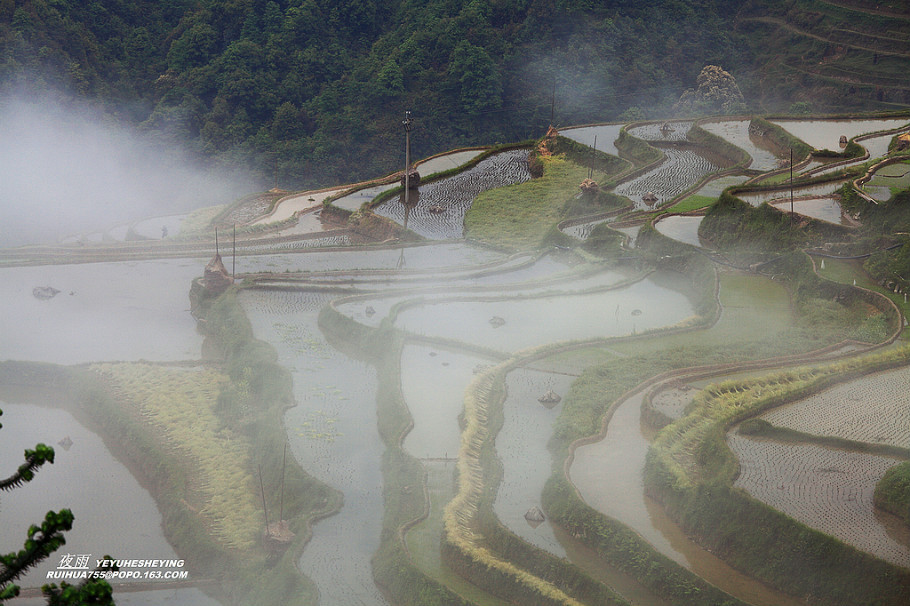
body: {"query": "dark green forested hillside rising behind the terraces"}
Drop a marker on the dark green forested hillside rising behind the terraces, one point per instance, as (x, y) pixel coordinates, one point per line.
(317, 89)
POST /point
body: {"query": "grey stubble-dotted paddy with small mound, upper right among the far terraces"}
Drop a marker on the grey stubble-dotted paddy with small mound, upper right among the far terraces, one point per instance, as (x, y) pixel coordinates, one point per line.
(675, 175)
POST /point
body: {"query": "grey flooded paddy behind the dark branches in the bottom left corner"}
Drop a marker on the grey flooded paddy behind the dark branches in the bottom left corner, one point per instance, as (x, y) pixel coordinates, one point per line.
(125, 524)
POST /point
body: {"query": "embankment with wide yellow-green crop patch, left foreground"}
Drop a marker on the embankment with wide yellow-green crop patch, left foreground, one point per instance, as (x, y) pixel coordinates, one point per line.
(198, 439)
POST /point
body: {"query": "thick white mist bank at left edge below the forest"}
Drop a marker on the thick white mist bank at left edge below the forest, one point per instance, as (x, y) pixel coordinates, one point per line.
(65, 172)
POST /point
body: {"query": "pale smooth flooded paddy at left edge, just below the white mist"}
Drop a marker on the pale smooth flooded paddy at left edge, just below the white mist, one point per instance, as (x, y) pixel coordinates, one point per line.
(103, 311)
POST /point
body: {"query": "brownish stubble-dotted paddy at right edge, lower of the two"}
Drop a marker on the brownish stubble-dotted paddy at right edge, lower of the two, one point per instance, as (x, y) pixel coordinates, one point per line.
(826, 489)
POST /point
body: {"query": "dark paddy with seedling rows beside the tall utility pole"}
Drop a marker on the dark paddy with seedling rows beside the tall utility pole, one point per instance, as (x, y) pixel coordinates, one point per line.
(441, 205)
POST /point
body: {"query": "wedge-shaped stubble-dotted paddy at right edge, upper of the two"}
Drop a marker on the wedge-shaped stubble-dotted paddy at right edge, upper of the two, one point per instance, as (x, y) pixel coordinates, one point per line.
(873, 409)
